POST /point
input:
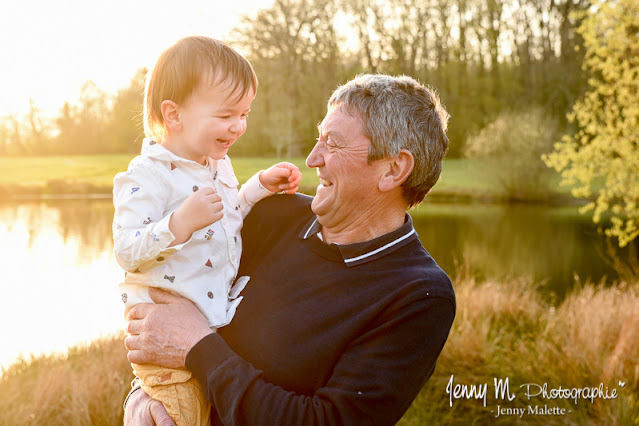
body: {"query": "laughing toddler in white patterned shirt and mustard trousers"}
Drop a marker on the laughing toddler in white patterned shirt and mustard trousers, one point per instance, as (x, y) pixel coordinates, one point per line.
(178, 213)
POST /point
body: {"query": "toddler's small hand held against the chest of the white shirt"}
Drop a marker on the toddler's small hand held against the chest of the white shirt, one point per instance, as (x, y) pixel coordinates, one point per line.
(200, 209)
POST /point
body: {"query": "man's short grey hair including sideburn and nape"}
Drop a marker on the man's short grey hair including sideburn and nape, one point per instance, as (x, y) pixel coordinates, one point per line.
(399, 113)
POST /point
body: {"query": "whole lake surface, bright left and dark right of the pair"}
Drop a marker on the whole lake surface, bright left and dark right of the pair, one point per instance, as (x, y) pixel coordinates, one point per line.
(59, 275)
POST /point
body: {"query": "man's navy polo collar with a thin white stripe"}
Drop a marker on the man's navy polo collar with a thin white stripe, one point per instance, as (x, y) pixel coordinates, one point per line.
(358, 253)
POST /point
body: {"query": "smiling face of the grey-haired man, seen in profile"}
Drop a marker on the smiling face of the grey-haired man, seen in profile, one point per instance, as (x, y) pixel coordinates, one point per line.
(348, 184)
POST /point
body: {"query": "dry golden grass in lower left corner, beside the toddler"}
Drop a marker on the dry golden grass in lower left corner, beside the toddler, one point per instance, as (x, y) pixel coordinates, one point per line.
(86, 386)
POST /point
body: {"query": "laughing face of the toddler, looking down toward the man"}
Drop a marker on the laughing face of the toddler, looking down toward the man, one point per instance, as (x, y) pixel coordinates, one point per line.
(212, 120)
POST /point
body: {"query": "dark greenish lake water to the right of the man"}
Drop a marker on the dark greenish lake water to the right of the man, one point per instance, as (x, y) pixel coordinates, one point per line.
(550, 246)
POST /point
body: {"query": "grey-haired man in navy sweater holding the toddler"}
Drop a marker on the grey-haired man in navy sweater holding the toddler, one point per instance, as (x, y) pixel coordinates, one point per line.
(345, 313)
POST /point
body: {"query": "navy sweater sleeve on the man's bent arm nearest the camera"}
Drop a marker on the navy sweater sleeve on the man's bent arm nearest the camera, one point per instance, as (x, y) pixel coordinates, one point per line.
(374, 381)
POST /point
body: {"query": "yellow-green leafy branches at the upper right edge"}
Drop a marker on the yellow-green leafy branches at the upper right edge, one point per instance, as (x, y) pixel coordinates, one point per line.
(601, 159)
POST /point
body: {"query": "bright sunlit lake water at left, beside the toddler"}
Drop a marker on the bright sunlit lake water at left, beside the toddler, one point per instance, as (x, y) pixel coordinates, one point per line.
(59, 276)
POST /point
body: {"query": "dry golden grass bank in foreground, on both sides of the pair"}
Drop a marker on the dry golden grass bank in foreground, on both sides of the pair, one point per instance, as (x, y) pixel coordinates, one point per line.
(503, 330)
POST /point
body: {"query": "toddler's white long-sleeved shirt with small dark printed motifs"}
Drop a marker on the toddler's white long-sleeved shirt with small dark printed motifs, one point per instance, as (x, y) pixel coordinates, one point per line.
(203, 269)
